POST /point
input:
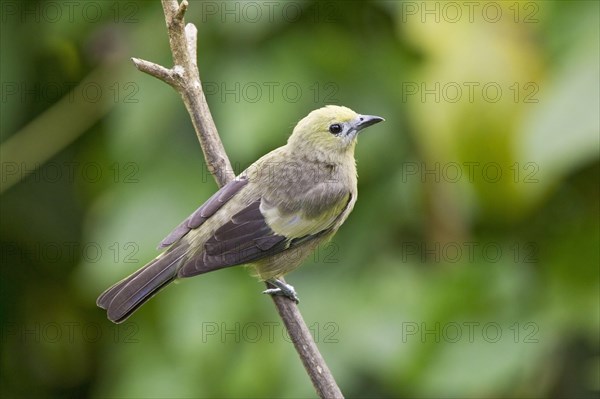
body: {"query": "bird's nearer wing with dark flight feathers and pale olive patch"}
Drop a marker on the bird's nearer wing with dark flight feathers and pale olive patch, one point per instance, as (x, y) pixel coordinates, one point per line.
(259, 230)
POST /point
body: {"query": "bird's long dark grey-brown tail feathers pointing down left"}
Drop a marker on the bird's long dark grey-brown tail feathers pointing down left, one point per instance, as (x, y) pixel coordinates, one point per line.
(123, 298)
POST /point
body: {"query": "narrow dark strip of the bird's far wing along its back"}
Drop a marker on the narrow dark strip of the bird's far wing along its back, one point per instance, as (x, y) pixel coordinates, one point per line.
(209, 208)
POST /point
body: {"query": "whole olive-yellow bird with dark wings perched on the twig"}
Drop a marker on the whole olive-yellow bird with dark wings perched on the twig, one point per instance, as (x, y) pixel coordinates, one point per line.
(272, 216)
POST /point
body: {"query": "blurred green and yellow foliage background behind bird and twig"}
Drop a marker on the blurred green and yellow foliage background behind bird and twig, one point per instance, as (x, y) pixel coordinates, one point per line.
(445, 281)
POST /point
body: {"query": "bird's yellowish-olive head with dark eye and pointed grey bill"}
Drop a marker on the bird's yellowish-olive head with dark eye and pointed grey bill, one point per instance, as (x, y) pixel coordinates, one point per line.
(330, 131)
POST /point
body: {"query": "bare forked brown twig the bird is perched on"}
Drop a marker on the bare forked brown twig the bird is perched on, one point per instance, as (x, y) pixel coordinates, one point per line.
(185, 78)
